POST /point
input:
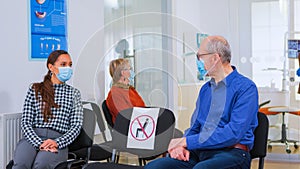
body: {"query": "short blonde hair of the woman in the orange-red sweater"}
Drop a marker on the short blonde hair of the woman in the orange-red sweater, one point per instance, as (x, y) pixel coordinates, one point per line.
(115, 68)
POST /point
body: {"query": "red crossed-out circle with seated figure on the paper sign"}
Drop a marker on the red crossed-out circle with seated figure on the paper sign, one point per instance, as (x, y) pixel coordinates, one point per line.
(149, 122)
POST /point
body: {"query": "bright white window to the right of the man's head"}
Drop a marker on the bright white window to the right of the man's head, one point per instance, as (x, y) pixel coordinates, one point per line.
(269, 25)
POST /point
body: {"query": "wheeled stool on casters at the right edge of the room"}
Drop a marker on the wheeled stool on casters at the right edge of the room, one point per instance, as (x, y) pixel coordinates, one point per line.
(283, 111)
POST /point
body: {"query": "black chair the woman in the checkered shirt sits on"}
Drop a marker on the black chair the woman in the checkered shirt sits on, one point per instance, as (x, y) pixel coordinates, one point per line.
(84, 141)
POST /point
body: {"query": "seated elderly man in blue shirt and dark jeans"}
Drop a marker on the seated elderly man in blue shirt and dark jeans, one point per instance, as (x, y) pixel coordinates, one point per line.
(222, 125)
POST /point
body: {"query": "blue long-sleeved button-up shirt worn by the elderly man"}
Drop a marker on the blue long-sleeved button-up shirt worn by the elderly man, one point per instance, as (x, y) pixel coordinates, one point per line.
(225, 114)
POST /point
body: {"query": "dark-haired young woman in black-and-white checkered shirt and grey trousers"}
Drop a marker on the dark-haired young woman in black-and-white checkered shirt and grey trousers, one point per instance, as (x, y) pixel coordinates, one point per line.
(52, 117)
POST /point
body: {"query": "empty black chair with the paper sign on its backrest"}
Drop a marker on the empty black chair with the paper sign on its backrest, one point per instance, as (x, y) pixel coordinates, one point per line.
(164, 133)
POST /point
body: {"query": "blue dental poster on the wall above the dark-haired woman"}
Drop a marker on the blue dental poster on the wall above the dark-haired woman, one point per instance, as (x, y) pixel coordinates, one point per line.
(48, 27)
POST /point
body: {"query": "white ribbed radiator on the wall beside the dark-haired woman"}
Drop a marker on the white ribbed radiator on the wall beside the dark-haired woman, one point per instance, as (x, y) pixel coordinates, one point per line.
(10, 134)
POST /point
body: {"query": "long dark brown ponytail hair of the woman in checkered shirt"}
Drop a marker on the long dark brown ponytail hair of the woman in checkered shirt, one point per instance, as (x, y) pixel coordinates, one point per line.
(45, 88)
